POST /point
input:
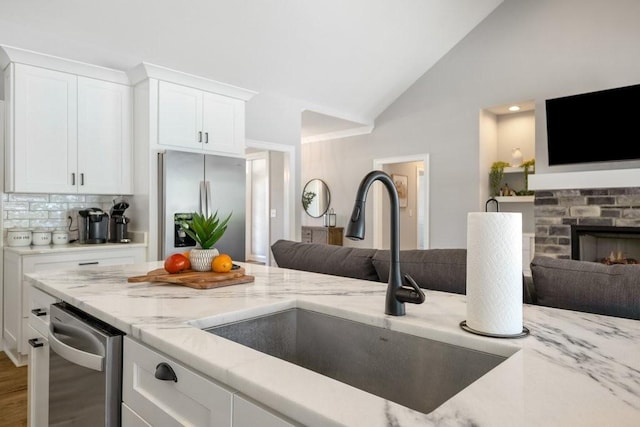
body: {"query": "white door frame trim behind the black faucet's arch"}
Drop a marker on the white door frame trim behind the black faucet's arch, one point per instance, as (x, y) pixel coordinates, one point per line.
(378, 164)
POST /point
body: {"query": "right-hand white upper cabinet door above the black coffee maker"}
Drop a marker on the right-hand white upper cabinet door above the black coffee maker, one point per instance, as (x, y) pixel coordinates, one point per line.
(104, 137)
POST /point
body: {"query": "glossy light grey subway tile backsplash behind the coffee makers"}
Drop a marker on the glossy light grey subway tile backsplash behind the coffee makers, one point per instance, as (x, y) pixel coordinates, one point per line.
(50, 211)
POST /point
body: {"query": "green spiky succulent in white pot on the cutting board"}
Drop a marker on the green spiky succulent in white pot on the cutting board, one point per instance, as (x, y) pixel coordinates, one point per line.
(206, 231)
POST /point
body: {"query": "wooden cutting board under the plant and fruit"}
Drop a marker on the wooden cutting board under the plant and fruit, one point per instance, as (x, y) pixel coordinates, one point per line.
(195, 279)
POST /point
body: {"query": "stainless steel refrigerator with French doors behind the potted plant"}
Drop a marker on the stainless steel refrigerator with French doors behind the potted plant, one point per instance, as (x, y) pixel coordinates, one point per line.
(191, 182)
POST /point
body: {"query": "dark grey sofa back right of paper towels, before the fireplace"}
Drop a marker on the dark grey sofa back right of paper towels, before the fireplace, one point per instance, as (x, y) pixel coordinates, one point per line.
(613, 290)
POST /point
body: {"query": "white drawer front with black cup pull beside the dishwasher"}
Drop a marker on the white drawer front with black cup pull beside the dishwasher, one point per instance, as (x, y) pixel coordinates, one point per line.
(191, 400)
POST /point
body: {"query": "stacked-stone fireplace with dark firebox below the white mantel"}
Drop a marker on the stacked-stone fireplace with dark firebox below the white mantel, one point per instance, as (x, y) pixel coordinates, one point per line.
(611, 213)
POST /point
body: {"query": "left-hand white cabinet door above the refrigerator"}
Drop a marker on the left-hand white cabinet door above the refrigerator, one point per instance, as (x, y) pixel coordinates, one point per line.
(179, 116)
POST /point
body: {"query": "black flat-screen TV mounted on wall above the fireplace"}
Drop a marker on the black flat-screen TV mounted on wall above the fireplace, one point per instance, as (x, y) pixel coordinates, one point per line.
(601, 126)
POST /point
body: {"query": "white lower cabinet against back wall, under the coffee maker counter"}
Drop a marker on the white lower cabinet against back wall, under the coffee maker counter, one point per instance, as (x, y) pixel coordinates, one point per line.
(16, 297)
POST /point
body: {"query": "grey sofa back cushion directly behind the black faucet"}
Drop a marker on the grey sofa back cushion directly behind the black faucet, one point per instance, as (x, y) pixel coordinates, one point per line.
(435, 269)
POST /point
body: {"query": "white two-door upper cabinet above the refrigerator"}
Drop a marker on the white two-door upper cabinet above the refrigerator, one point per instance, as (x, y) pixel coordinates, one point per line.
(198, 120)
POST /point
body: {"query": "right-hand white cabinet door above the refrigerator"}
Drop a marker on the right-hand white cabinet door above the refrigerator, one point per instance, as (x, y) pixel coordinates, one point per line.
(223, 124)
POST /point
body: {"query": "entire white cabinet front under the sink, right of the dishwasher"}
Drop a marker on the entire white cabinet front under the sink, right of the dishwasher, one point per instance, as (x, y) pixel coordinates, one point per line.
(191, 399)
